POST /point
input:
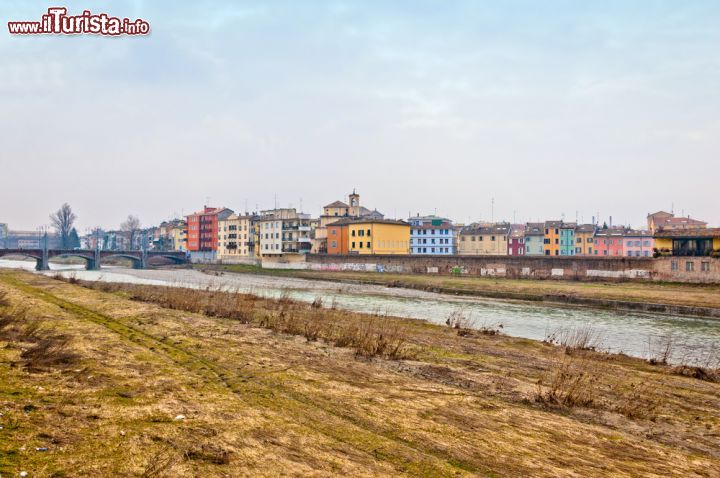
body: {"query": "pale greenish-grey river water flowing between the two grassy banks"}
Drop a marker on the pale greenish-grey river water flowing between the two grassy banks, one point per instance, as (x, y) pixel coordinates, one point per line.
(693, 341)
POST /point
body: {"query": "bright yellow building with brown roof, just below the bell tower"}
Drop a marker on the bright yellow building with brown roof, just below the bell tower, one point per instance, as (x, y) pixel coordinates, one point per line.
(376, 236)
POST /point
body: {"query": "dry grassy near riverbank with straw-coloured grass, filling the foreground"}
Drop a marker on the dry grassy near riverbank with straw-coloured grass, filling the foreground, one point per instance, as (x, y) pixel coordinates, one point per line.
(156, 380)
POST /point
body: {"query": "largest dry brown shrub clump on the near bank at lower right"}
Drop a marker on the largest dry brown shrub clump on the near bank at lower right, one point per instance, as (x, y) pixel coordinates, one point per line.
(570, 382)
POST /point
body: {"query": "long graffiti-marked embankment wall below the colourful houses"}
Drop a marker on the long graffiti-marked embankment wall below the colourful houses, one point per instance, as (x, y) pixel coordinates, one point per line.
(678, 269)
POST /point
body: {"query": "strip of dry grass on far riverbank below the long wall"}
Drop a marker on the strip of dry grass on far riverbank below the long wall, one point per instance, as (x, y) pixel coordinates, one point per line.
(702, 300)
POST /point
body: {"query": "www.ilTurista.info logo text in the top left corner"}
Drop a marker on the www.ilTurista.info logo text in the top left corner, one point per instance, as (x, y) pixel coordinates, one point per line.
(58, 22)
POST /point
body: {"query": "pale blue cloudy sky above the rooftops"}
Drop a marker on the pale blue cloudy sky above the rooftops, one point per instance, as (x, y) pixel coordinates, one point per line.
(504, 110)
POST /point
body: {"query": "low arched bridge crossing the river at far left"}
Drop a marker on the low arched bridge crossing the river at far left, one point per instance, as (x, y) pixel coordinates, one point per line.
(93, 258)
